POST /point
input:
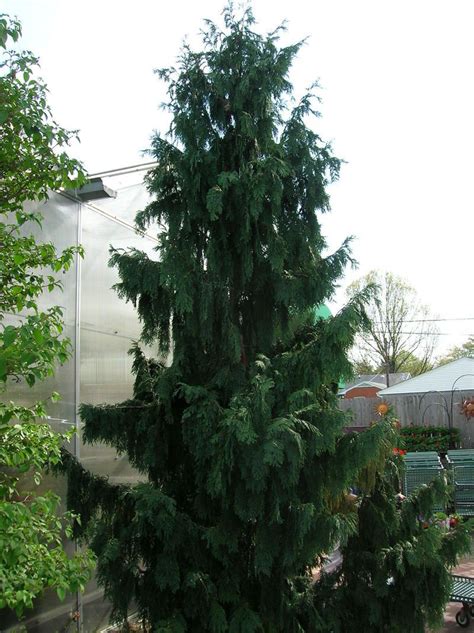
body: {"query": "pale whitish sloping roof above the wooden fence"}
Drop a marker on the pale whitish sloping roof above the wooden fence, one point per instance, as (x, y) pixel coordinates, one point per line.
(458, 375)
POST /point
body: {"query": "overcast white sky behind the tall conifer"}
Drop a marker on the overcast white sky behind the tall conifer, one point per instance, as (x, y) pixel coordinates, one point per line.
(398, 104)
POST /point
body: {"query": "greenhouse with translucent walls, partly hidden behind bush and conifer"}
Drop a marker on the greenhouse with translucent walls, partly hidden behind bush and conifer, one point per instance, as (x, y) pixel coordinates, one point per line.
(102, 328)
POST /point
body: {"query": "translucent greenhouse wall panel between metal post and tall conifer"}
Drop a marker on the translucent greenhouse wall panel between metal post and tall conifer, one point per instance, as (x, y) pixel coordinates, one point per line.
(108, 328)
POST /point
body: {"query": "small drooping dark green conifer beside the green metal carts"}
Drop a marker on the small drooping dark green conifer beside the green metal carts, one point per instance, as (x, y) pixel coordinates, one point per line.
(394, 576)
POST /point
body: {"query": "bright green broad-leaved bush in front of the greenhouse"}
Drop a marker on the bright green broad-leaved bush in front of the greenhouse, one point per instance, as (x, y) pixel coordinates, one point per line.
(32, 161)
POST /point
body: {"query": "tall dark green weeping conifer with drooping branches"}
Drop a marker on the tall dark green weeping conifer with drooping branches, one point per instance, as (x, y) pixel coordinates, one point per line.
(239, 439)
